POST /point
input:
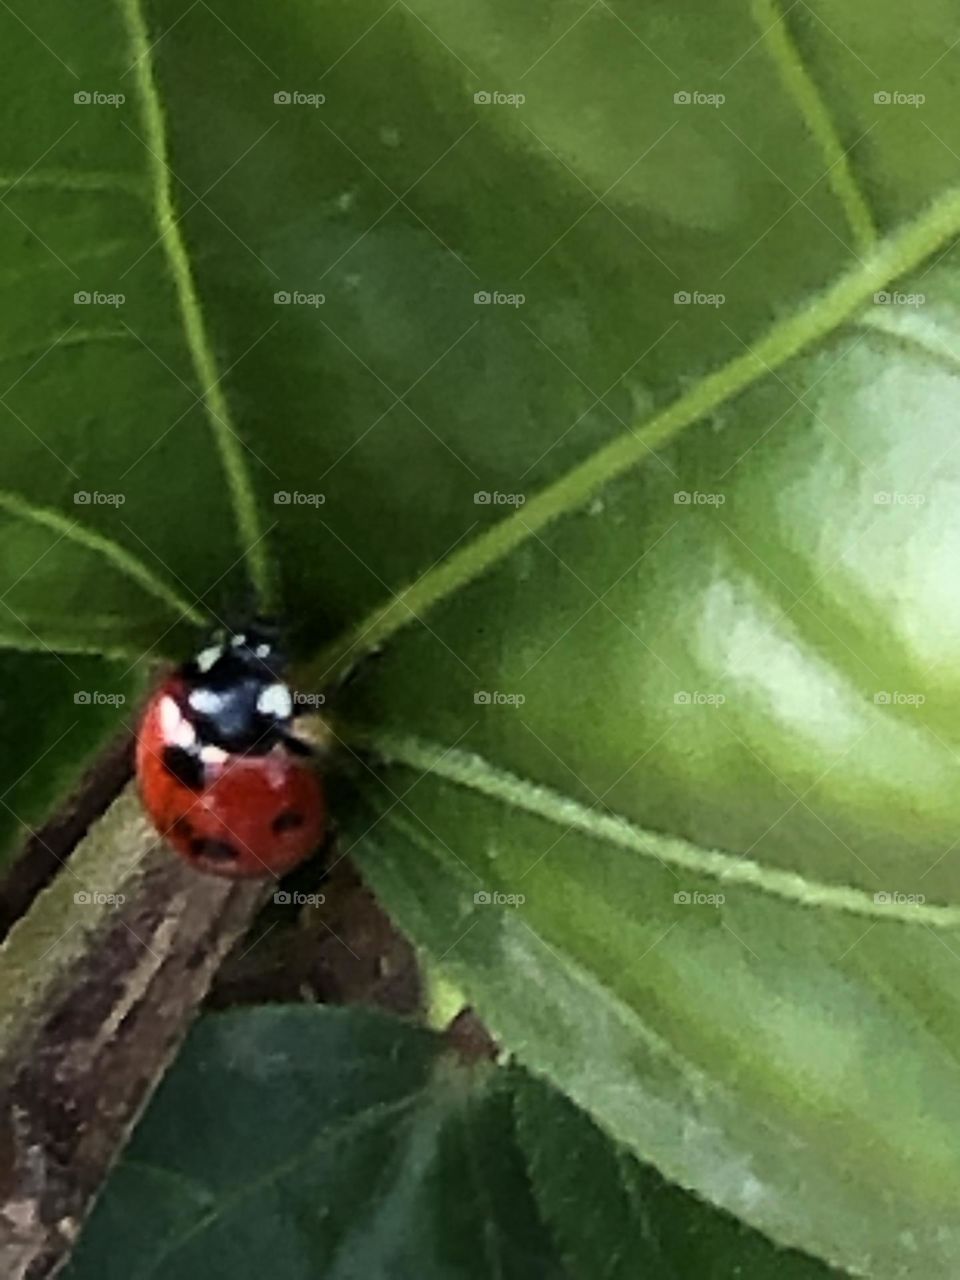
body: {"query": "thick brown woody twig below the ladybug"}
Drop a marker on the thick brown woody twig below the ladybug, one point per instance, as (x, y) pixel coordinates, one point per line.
(95, 996)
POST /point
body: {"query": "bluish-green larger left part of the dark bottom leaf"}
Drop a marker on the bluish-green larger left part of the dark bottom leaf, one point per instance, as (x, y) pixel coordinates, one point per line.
(309, 1142)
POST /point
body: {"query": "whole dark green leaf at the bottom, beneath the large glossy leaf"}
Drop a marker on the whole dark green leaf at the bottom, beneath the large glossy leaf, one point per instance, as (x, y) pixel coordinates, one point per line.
(344, 1144)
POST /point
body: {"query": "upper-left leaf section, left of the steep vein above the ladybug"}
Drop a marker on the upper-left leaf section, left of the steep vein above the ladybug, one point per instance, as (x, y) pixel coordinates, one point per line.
(126, 493)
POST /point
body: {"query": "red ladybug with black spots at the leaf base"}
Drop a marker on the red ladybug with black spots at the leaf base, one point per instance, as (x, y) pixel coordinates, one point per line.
(221, 772)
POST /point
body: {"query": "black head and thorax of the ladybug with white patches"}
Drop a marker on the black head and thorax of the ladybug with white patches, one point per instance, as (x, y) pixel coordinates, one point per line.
(236, 696)
